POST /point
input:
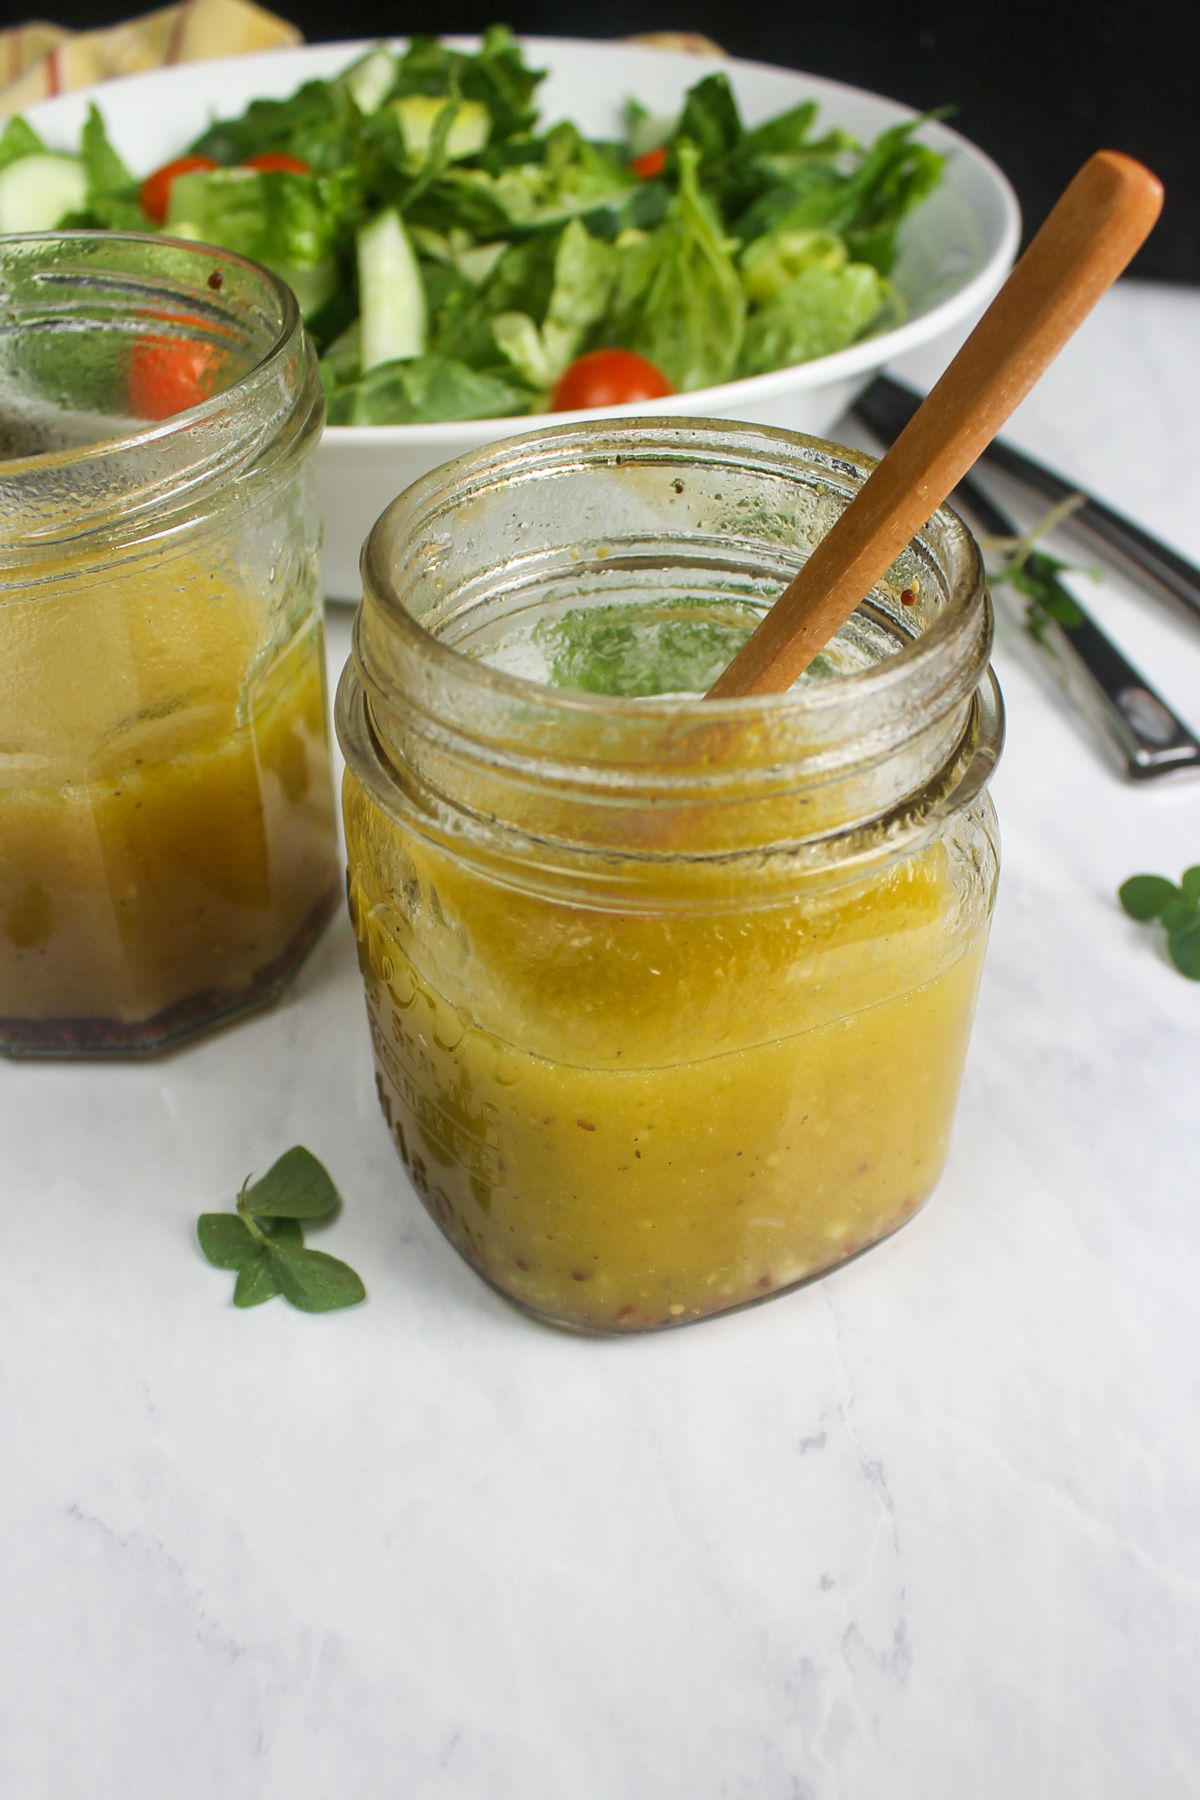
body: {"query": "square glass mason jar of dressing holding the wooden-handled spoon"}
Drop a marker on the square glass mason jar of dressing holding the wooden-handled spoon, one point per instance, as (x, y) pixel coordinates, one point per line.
(670, 998)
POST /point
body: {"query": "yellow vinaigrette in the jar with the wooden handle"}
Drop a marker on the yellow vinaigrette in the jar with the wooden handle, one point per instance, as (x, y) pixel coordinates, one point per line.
(704, 1108)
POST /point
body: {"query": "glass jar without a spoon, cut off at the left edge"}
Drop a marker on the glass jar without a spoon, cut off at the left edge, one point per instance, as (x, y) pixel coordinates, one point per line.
(168, 847)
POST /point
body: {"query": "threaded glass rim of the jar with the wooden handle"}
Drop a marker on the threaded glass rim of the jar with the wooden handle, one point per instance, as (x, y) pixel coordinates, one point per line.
(499, 535)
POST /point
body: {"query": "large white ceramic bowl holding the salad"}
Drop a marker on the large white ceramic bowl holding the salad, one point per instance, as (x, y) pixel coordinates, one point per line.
(956, 247)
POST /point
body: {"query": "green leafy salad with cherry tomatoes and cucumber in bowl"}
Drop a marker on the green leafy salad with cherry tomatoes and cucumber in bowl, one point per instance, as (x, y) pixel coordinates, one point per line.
(458, 262)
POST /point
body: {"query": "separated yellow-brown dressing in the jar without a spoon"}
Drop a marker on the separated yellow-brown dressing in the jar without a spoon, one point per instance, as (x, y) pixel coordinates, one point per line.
(179, 859)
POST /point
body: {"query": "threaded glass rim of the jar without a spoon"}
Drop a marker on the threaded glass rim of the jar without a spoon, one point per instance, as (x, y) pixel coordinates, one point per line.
(127, 472)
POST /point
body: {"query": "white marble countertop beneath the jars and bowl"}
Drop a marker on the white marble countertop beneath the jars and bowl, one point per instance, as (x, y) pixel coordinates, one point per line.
(926, 1529)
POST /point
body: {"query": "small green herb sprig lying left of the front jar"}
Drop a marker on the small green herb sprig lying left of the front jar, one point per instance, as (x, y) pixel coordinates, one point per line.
(265, 1245)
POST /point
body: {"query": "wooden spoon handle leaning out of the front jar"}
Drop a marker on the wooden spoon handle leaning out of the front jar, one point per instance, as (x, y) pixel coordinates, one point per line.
(1084, 246)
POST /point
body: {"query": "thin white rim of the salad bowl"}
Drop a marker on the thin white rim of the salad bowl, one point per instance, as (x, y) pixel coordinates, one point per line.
(821, 372)
